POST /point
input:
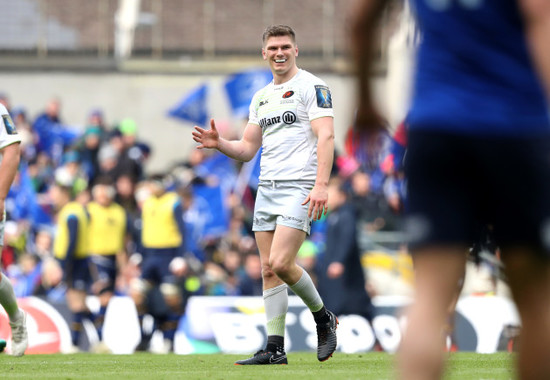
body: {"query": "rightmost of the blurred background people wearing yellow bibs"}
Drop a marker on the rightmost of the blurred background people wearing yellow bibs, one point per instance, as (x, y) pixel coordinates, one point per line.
(162, 242)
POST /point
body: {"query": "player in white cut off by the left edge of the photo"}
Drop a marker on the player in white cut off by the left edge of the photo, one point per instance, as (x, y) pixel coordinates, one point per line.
(9, 148)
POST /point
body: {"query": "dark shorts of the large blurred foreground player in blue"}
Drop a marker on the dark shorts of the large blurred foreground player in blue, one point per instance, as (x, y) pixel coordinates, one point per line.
(456, 184)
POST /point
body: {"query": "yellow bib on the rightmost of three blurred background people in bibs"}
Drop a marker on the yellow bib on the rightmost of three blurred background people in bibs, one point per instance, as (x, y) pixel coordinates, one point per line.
(159, 228)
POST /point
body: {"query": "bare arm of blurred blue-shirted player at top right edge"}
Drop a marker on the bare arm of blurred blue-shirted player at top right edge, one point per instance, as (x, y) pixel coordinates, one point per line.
(537, 20)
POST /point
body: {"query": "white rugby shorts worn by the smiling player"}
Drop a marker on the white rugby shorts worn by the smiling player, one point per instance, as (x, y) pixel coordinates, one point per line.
(280, 202)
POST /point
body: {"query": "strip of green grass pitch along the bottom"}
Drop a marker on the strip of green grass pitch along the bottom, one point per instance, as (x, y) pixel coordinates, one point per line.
(377, 366)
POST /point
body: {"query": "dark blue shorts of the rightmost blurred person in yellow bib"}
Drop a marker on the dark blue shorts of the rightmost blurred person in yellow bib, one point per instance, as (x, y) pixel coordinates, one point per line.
(155, 267)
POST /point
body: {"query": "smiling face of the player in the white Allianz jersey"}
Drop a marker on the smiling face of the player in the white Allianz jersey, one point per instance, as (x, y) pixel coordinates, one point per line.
(281, 52)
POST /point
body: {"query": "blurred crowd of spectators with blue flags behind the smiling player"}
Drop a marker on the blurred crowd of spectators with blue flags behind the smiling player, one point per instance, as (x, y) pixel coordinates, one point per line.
(221, 255)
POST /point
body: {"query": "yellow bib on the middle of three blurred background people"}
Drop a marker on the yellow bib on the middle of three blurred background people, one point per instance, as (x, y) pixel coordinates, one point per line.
(107, 228)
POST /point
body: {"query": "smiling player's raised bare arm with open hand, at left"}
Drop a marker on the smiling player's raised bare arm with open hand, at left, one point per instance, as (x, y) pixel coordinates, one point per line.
(242, 150)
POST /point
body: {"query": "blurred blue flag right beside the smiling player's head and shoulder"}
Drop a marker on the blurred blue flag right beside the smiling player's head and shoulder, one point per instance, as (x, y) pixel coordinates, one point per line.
(241, 87)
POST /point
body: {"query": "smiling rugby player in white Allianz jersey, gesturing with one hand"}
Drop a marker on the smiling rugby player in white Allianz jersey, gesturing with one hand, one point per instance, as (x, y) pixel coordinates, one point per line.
(292, 120)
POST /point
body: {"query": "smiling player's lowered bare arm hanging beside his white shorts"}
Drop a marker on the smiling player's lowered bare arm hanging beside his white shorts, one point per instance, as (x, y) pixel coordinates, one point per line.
(323, 128)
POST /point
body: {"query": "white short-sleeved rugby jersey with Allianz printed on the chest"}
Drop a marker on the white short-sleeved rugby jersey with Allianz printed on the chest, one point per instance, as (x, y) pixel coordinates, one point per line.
(284, 112)
